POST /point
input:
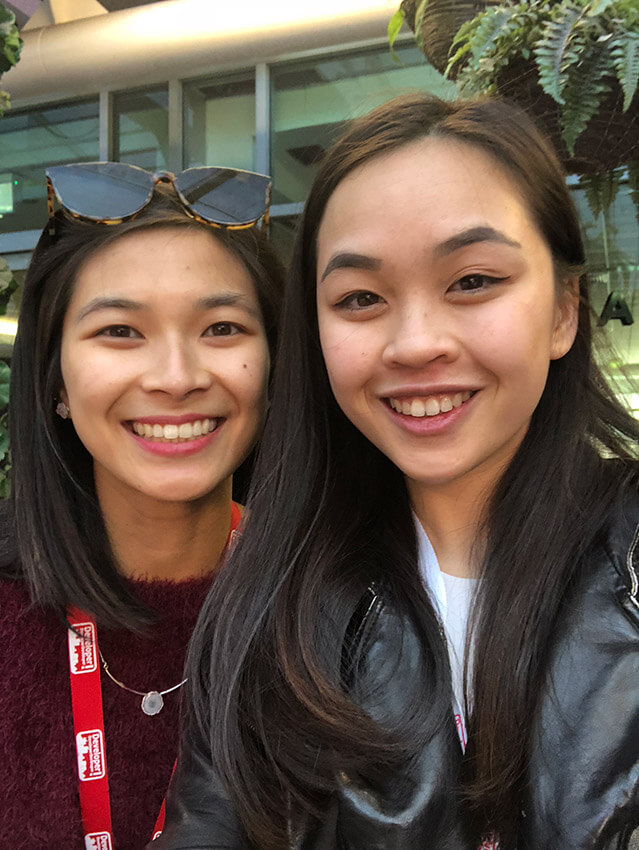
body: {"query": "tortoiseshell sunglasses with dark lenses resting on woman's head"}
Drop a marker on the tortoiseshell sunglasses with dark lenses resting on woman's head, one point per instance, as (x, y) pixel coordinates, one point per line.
(113, 192)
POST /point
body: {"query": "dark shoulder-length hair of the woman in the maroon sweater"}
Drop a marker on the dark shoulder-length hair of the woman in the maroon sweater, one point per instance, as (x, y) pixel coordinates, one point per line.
(51, 529)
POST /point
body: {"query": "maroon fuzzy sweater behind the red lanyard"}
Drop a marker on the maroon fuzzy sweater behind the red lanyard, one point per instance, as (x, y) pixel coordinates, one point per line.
(39, 807)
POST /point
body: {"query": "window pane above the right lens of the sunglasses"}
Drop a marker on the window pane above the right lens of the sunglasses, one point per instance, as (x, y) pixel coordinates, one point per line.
(219, 122)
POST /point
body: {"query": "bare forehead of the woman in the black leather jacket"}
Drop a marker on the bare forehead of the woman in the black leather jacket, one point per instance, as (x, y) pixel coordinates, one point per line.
(419, 194)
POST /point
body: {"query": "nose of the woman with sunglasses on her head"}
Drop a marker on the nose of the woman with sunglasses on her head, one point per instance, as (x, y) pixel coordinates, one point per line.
(176, 367)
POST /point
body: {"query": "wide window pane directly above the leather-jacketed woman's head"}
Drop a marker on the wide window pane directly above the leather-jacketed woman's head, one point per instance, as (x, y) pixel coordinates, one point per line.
(311, 100)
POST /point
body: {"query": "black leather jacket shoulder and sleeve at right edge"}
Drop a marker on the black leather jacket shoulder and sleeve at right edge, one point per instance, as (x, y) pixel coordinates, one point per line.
(588, 708)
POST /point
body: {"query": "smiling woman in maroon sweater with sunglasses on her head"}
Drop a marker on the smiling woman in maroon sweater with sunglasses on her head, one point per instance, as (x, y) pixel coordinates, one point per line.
(139, 384)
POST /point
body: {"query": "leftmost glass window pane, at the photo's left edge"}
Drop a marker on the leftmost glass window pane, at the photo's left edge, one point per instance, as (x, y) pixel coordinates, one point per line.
(30, 140)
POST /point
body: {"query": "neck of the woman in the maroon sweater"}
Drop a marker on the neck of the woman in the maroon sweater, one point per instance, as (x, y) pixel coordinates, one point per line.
(175, 541)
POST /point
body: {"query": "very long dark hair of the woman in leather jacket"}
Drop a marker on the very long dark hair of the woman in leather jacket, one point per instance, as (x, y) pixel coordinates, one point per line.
(330, 515)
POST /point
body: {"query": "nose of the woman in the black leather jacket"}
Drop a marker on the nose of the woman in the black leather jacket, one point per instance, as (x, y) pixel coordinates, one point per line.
(419, 336)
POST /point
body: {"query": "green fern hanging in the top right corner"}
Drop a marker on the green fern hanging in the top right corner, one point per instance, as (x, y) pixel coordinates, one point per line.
(579, 48)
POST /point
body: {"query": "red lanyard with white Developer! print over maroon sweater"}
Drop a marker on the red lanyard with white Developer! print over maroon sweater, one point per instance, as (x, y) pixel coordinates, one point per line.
(88, 724)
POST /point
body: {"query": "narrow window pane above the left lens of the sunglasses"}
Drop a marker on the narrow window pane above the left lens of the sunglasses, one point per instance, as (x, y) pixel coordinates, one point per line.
(141, 121)
